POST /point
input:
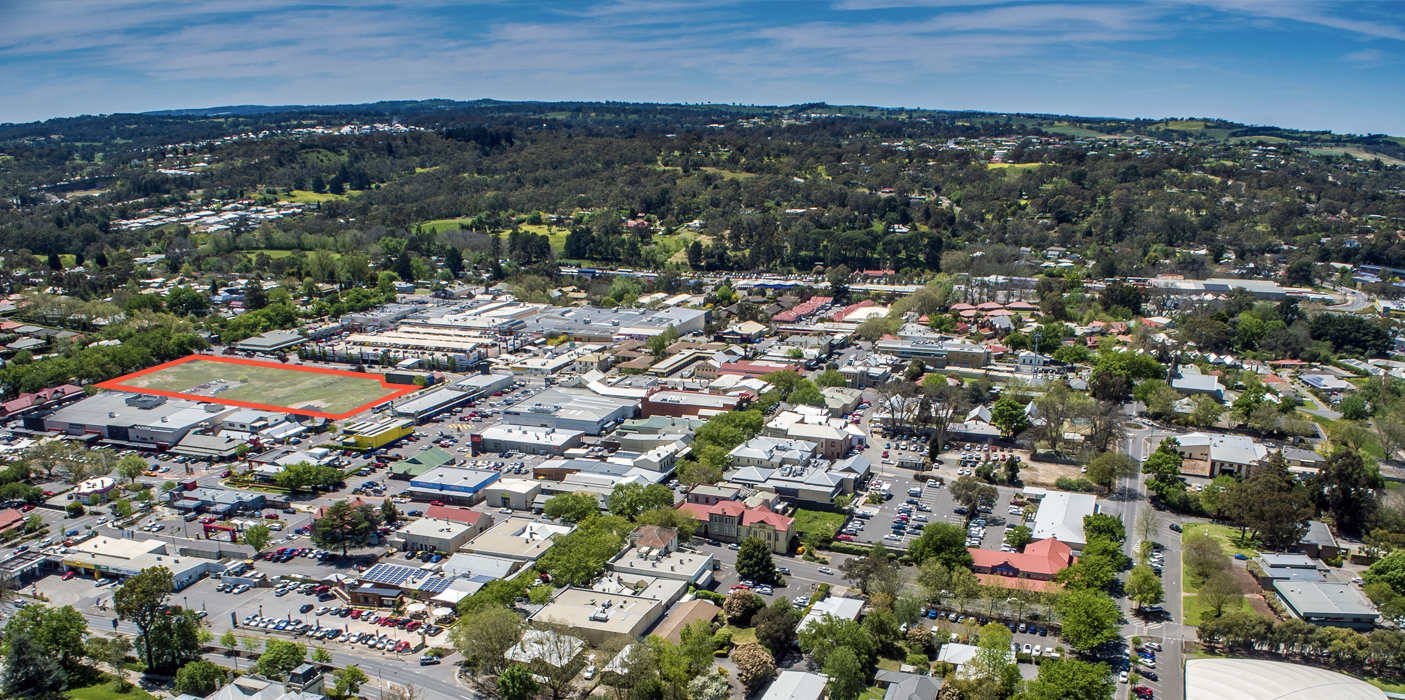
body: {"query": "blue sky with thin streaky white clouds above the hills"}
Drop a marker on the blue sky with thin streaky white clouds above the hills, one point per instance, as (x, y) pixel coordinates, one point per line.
(1298, 64)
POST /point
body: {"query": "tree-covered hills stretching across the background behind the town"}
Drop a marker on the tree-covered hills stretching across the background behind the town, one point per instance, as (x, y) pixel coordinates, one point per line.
(695, 188)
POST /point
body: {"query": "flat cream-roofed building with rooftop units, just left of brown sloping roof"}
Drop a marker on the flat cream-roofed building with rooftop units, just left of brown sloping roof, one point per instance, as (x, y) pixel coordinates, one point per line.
(599, 618)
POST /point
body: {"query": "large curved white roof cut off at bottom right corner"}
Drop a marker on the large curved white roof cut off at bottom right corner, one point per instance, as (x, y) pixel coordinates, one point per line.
(1258, 680)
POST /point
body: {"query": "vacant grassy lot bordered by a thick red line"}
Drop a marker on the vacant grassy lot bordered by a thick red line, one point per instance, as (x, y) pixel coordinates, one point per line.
(276, 387)
